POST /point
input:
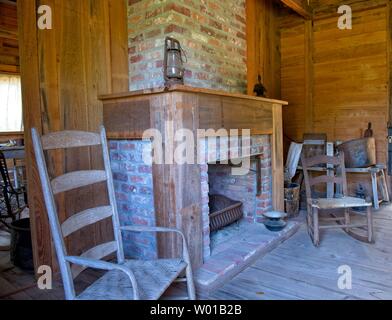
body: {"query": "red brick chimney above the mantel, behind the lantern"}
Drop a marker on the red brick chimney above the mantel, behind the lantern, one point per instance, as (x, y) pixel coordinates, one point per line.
(212, 32)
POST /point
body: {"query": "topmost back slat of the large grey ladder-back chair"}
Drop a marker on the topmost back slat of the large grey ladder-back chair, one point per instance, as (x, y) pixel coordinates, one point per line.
(70, 139)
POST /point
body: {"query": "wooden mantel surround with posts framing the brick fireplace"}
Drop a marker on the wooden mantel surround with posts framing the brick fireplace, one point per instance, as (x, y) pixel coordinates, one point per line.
(177, 194)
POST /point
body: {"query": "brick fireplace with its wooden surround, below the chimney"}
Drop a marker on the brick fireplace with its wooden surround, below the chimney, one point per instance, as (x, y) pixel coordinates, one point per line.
(176, 195)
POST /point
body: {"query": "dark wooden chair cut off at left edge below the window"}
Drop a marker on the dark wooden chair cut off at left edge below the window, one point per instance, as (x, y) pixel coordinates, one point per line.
(10, 202)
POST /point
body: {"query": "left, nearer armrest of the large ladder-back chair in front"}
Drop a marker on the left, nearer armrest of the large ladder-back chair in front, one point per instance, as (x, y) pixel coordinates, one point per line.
(103, 265)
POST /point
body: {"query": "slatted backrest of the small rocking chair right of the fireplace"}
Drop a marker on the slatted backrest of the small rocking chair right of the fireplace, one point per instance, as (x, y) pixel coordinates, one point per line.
(337, 178)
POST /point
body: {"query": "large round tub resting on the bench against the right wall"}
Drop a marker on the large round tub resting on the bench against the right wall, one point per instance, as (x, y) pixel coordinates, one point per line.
(360, 153)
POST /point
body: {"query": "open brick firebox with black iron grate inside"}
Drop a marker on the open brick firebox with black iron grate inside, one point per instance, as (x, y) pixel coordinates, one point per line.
(230, 202)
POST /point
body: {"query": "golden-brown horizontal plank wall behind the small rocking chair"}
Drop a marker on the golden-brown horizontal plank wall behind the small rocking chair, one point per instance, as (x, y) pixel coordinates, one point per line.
(345, 73)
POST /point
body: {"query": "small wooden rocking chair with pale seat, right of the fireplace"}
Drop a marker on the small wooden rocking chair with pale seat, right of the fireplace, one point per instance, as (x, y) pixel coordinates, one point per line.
(315, 176)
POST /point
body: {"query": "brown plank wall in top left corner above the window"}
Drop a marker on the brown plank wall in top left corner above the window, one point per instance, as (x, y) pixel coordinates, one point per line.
(9, 48)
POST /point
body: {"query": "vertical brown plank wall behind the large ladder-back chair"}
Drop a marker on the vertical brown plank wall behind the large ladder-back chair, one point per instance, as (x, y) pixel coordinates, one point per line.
(63, 71)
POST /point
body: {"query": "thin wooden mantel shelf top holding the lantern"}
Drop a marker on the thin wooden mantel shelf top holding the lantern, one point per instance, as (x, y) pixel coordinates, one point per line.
(186, 89)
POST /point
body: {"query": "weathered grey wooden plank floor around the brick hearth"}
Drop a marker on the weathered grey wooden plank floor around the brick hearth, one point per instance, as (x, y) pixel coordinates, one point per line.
(295, 270)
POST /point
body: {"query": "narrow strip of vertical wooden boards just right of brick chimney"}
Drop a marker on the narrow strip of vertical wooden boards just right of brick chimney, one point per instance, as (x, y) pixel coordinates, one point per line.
(263, 46)
